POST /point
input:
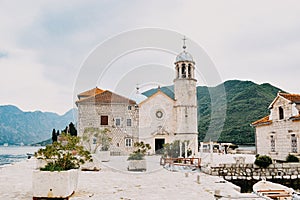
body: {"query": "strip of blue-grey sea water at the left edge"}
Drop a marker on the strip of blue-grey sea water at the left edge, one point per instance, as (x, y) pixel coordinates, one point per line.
(13, 154)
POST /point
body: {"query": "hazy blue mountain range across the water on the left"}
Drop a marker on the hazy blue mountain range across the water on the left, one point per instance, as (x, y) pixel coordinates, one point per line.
(17, 126)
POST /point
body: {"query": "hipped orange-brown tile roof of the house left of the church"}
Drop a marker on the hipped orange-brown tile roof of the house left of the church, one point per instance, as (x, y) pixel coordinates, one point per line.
(106, 97)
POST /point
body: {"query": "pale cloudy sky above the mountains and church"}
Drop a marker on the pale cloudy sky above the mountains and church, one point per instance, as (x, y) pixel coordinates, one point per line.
(44, 45)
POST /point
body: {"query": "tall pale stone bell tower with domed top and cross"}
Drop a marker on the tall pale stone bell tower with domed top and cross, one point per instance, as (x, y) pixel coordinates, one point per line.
(186, 100)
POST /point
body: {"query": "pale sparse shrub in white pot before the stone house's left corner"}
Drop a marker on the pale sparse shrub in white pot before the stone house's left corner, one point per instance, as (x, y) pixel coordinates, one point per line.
(97, 141)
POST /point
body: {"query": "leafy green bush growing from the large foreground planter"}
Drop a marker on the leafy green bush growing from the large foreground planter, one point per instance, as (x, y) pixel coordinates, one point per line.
(63, 155)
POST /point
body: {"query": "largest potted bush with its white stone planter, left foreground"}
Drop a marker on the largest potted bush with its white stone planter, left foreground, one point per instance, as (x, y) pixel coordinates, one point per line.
(59, 176)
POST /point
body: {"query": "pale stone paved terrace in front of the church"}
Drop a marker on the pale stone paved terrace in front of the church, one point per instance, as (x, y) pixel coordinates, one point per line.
(114, 182)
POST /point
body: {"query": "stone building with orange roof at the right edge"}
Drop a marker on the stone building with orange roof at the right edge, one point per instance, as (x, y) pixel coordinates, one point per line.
(277, 134)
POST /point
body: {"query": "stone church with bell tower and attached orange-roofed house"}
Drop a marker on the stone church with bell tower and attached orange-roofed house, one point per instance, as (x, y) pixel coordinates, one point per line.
(158, 119)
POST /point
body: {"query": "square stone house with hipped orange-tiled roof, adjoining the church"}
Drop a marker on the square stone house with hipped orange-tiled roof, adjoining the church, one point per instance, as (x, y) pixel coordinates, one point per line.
(105, 109)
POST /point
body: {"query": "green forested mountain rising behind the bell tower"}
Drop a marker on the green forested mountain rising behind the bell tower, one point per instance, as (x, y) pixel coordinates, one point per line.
(236, 103)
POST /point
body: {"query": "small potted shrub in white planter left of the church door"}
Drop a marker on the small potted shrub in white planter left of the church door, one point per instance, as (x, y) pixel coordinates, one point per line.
(136, 159)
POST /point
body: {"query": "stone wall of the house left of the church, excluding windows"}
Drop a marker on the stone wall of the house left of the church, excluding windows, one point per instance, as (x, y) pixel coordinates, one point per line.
(89, 115)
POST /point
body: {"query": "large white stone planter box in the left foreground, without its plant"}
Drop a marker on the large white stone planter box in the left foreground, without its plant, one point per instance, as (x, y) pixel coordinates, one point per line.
(54, 184)
